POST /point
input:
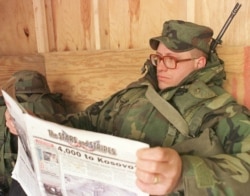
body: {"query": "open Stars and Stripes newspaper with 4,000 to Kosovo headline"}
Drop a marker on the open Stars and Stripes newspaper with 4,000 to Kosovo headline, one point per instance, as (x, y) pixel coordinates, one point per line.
(57, 160)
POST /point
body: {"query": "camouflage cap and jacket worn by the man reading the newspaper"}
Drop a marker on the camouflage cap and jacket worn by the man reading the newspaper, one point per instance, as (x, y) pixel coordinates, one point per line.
(216, 151)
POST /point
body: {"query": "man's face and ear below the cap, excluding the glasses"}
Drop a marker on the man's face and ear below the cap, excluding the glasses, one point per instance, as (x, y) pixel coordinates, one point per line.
(172, 77)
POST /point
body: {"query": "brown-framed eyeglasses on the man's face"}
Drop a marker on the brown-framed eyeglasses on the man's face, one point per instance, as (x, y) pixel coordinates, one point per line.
(170, 62)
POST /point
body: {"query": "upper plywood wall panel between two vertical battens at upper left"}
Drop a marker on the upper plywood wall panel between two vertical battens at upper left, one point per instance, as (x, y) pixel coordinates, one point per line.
(73, 25)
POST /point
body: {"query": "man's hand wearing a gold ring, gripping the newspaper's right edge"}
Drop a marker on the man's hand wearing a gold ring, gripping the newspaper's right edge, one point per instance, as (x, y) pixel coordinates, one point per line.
(158, 170)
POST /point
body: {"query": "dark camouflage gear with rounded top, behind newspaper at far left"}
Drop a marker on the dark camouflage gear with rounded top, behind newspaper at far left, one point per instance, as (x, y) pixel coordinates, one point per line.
(31, 90)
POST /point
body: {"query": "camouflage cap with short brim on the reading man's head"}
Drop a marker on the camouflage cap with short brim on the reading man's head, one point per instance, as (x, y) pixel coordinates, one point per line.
(181, 36)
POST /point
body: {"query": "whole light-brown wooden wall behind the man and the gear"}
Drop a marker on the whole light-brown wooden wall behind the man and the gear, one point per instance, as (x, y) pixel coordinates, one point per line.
(41, 34)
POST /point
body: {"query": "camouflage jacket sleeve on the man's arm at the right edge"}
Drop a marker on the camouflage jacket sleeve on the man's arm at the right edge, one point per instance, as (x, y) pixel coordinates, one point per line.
(225, 173)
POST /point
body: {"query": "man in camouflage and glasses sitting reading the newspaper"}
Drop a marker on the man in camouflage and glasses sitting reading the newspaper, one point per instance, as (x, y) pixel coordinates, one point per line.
(198, 134)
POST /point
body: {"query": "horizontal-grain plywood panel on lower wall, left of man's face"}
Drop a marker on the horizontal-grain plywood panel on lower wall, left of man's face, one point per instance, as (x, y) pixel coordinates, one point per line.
(86, 77)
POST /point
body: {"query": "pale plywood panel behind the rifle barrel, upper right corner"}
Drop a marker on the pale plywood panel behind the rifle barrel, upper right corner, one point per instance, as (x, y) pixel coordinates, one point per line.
(214, 13)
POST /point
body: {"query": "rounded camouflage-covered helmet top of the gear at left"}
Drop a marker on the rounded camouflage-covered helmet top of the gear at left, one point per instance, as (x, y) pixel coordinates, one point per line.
(28, 81)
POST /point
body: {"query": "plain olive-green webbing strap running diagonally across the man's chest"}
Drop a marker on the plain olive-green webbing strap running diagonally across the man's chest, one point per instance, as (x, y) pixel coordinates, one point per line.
(168, 111)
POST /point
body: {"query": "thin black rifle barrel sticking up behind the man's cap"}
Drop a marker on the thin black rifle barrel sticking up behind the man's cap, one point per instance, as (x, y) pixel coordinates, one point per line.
(218, 40)
